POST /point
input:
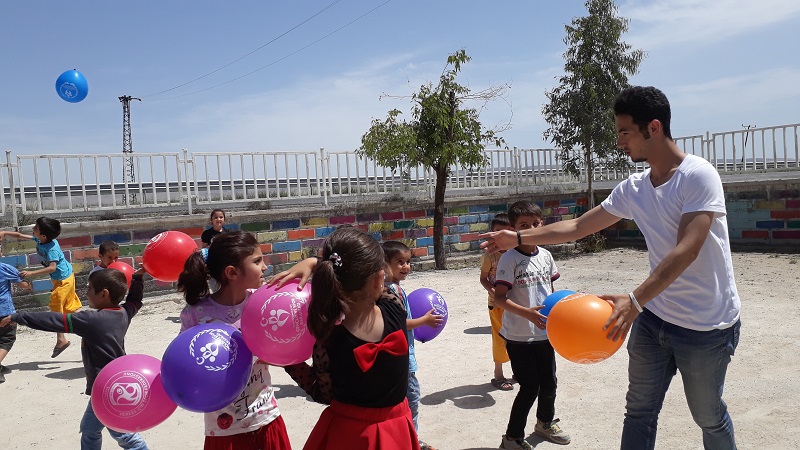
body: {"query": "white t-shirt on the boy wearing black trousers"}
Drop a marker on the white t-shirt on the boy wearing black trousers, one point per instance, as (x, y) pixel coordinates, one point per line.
(529, 279)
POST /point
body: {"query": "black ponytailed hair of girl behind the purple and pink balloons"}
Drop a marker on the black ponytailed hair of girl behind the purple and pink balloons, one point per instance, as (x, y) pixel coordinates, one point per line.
(226, 249)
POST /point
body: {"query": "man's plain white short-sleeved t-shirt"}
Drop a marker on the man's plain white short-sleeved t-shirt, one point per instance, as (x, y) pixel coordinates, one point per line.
(704, 296)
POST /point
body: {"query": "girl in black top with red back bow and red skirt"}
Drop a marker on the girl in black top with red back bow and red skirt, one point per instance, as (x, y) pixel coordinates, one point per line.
(361, 356)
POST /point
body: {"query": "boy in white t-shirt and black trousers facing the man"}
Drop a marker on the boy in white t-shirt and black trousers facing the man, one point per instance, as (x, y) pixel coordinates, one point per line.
(523, 280)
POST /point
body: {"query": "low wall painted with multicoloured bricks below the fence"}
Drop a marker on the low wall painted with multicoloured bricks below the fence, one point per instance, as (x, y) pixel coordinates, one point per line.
(753, 216)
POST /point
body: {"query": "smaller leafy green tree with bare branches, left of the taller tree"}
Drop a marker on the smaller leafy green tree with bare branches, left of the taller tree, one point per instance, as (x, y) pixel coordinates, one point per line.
(442, 134)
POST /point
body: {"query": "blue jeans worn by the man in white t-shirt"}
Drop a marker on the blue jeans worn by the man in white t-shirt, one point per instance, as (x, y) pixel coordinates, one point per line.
(656, 350)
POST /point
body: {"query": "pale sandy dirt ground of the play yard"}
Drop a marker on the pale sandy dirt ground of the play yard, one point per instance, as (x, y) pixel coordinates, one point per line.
(42, 400)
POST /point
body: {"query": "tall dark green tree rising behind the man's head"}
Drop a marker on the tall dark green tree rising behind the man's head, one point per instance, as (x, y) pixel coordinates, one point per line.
(580, 111)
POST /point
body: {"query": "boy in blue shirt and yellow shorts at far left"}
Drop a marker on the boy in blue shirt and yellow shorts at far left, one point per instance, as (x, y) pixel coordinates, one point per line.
(63, 298)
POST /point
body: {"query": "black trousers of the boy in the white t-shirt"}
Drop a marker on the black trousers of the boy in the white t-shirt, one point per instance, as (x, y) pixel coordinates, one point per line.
(534, 366)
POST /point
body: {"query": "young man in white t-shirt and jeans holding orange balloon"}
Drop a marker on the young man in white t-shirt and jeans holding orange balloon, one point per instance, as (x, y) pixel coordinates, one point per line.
(685, 314)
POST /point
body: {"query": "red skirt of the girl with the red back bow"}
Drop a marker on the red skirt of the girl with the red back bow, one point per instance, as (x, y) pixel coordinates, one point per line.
(348, 427)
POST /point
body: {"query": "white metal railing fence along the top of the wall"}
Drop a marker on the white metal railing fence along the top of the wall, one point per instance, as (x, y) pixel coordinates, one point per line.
(75, 184)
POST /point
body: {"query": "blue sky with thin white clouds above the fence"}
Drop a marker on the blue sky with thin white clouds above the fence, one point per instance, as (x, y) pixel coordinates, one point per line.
(722, 63)
